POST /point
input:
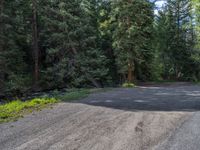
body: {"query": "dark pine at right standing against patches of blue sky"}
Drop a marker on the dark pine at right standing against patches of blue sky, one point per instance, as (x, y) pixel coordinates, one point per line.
(176, 39)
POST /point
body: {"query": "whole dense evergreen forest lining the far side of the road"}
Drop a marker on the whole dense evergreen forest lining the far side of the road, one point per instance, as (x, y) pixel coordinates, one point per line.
(54, 44)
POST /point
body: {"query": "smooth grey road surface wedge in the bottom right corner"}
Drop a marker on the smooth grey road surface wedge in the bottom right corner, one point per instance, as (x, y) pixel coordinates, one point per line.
(186, 137)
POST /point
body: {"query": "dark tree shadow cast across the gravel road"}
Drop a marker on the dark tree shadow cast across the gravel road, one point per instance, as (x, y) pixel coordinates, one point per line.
(160, 98)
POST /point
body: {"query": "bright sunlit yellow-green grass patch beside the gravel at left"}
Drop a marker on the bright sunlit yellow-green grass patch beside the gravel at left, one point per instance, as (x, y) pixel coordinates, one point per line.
(16, 109)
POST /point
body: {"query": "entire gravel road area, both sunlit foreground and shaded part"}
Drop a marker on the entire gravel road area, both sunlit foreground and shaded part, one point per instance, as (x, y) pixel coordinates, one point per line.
(142, 118)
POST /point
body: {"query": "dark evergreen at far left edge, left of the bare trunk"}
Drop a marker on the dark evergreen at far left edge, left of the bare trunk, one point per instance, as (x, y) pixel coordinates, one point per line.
(13, 46)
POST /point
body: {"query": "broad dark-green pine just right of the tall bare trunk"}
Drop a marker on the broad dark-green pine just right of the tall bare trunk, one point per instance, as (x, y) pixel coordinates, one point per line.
(72, 50)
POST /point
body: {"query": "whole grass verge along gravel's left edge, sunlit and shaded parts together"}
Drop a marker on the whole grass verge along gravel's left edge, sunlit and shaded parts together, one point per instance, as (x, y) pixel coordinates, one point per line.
(13, 110)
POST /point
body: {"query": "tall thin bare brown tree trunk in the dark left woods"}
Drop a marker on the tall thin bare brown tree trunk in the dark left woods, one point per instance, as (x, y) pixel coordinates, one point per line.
(35, 42)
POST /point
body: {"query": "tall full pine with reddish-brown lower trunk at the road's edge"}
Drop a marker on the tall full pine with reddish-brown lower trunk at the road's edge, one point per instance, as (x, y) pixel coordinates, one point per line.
(133, 22)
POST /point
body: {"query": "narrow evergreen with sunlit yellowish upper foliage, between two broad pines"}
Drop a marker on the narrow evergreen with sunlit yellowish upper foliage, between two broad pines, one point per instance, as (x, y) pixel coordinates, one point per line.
(106, 31)
